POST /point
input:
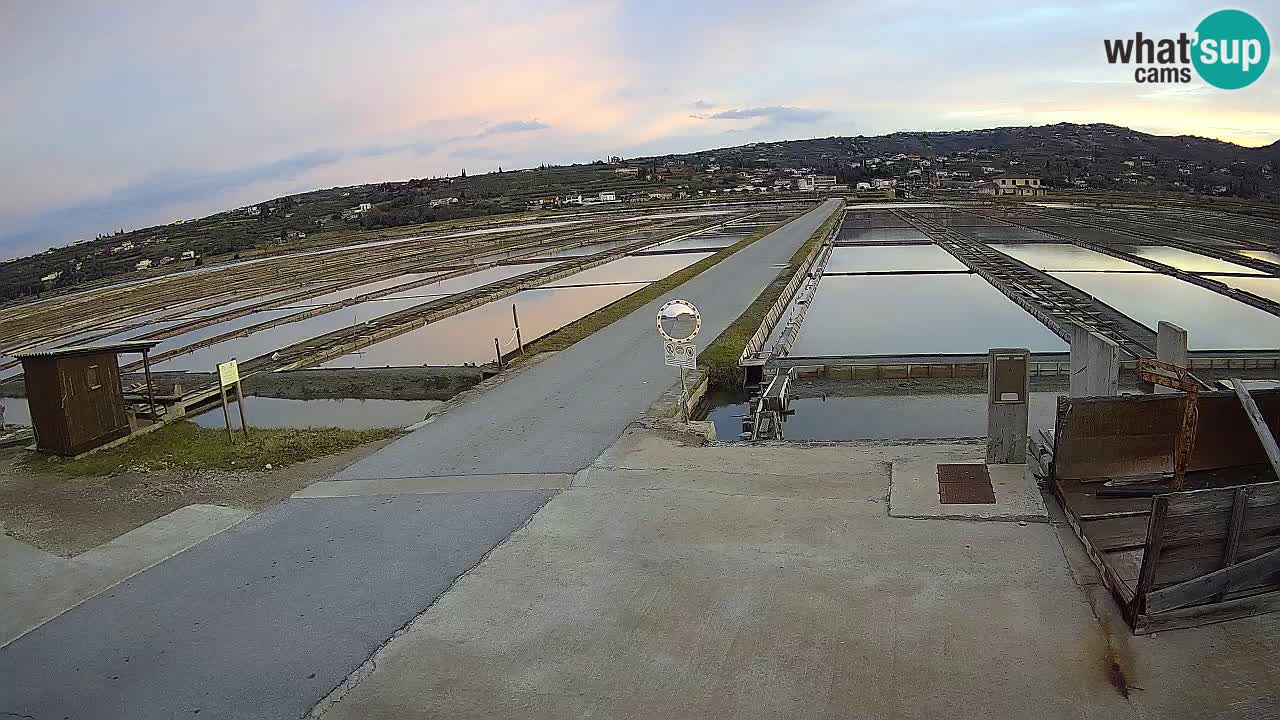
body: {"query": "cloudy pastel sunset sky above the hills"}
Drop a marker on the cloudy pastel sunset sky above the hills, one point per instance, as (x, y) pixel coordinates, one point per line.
(131, 115)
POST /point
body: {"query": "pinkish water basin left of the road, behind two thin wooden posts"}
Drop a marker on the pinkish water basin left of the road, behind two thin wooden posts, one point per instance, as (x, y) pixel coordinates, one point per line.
(468, 338)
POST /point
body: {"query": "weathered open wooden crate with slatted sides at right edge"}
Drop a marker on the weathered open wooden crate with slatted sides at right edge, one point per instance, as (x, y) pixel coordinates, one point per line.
(1177, 559)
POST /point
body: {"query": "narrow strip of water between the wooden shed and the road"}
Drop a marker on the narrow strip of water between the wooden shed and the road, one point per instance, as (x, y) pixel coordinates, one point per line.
(351, 414)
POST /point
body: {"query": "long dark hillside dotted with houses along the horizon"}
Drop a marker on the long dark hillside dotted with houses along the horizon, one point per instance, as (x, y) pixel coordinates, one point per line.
(1066, 157)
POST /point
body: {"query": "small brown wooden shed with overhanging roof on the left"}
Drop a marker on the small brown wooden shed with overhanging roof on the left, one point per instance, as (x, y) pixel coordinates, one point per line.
(76, 398)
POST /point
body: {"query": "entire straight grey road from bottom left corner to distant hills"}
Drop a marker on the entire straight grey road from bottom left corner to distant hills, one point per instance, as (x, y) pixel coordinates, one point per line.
(266, 619)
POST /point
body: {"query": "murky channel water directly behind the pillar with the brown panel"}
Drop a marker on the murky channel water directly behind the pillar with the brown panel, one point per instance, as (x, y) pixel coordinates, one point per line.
(881, 417)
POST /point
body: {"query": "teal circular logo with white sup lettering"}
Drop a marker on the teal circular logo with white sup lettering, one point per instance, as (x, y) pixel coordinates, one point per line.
(1232, 49)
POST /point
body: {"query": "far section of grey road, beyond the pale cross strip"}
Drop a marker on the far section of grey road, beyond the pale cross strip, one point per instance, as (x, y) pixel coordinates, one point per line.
(560, 416)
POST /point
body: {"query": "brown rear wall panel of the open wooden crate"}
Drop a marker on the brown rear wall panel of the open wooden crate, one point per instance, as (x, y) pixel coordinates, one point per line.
(1101, 438)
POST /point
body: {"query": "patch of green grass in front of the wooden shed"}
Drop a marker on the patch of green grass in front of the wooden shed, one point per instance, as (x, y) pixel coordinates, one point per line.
(185, 445)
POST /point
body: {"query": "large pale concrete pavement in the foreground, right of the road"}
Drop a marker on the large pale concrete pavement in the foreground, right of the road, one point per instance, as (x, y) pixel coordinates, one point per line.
(771, 582)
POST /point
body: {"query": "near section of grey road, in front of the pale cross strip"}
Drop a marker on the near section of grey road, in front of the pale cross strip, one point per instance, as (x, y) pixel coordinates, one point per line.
(262, 621)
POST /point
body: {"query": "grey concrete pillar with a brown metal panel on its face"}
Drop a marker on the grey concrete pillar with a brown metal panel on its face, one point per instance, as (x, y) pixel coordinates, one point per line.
(1008, 404)
